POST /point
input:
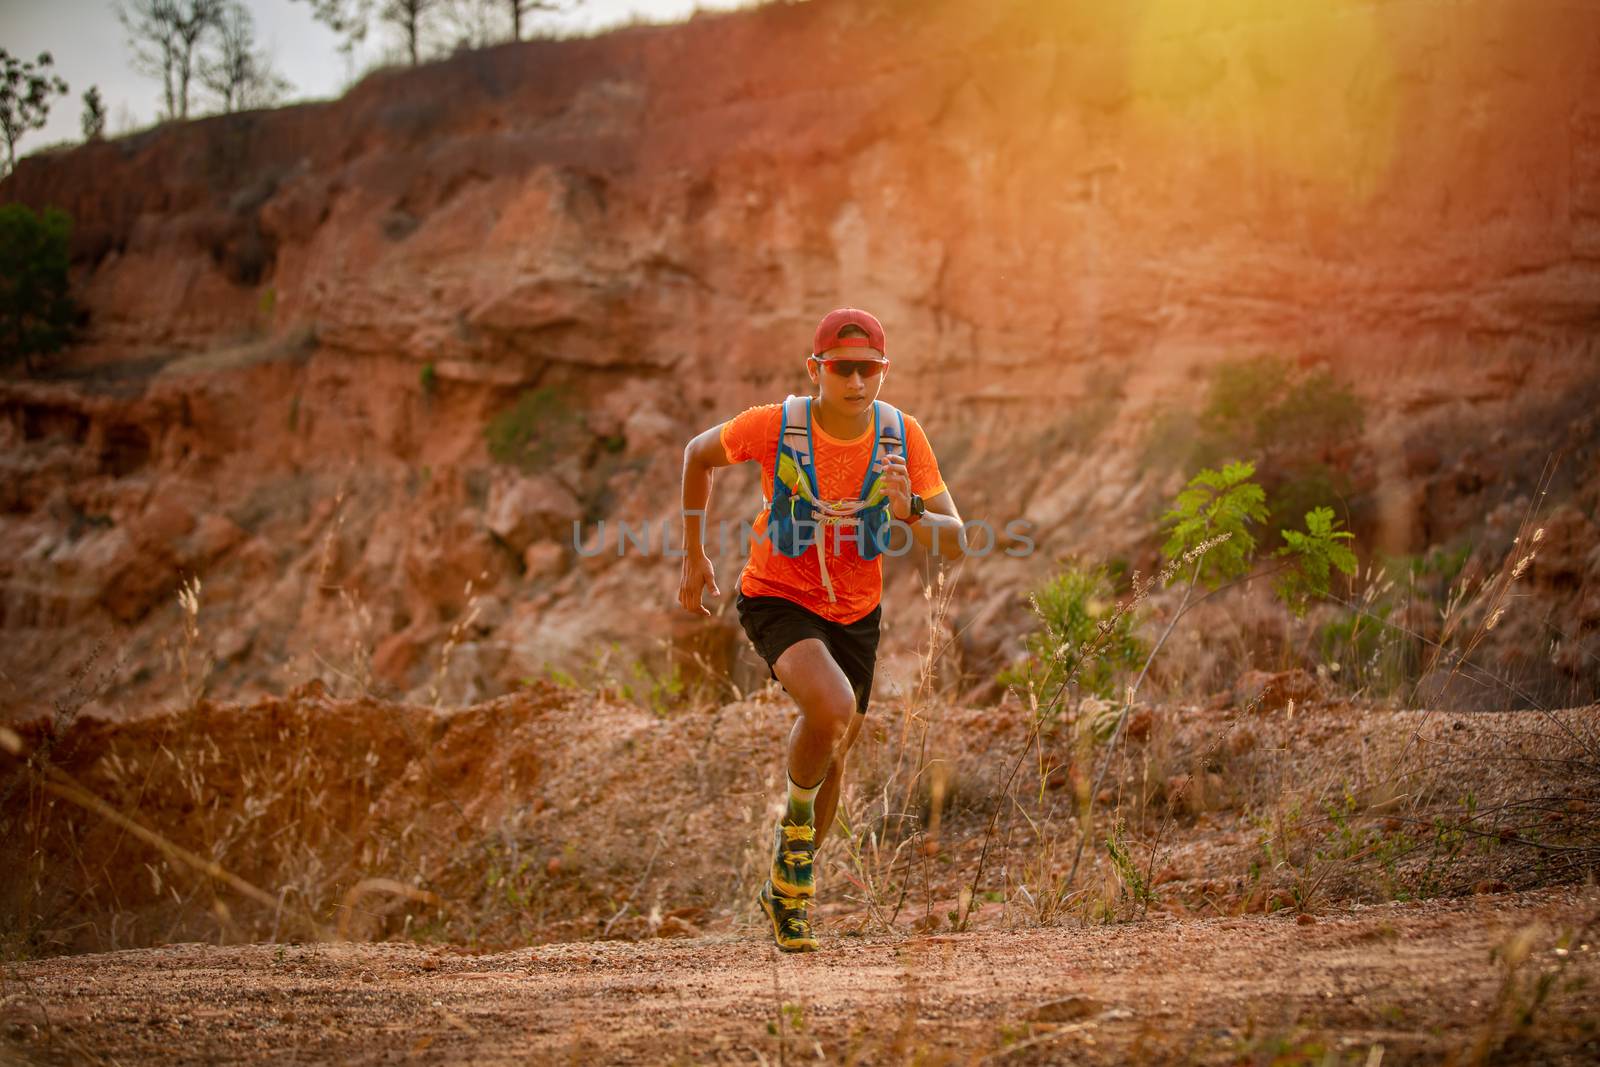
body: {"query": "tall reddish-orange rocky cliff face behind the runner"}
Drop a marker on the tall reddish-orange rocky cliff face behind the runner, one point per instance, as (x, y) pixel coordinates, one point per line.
(308, 326)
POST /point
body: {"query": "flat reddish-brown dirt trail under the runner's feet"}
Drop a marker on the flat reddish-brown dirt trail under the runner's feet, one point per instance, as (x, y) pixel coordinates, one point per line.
(1426, 983)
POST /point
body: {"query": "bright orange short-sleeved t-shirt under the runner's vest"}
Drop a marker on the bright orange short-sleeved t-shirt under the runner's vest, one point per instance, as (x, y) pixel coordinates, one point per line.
(841, 470)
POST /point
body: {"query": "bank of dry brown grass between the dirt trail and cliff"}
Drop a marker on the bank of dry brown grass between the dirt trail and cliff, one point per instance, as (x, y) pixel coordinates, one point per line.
(574, 812)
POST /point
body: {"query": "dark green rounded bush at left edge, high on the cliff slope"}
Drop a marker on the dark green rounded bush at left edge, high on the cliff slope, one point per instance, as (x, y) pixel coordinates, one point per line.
(36, 310)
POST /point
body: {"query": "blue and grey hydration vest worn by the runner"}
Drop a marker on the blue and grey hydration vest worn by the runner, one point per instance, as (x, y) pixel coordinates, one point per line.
(798, 518)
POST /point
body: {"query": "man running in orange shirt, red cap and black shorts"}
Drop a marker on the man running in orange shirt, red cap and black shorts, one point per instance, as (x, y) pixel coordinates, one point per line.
(846, 479)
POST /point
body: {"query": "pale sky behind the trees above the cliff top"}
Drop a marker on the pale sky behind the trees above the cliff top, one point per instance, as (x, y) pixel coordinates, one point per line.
(90, 47)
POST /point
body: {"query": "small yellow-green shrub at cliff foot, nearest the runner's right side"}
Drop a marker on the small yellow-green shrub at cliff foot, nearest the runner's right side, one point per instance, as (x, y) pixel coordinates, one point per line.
(1071, 609)
